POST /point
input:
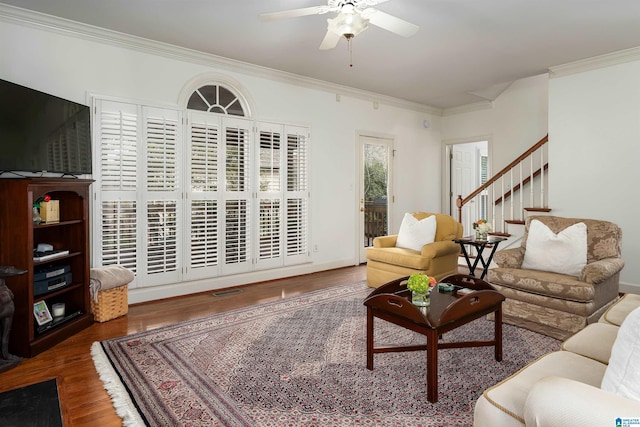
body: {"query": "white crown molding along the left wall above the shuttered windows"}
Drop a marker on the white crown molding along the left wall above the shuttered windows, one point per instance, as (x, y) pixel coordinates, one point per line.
(41, 21)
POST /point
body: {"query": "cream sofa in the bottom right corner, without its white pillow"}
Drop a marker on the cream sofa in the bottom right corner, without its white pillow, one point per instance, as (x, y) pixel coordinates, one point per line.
(563, 388)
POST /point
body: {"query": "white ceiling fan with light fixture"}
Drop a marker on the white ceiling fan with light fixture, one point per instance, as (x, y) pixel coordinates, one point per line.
(352, 18)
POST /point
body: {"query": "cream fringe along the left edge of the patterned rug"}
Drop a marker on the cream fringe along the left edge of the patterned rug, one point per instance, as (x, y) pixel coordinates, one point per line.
(119, 396)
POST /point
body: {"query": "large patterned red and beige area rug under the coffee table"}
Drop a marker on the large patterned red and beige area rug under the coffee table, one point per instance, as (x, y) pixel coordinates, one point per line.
(301, 362)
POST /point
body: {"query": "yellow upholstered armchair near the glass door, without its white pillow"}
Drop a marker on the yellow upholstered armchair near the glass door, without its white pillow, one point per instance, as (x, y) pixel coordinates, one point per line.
(386, 262)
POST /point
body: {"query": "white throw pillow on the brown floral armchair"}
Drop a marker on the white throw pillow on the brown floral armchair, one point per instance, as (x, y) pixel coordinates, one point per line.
(565, 252)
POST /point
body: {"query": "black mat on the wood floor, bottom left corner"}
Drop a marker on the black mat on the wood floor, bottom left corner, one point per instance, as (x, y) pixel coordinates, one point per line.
(35, 405)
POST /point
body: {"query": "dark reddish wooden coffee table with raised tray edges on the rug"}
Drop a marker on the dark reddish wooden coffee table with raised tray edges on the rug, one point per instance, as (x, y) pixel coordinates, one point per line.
(448, 310)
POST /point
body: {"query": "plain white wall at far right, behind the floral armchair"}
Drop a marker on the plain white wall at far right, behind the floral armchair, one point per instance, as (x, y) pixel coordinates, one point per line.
(594, 152)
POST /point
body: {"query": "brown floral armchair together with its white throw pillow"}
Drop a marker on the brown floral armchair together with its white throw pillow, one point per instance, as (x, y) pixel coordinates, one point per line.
(564, 275)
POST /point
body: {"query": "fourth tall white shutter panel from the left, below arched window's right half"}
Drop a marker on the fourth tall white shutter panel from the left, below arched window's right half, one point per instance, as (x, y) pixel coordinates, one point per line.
(237, 137)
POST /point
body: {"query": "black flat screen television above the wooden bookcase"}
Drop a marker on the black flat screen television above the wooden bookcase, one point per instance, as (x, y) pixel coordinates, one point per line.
(42, 133)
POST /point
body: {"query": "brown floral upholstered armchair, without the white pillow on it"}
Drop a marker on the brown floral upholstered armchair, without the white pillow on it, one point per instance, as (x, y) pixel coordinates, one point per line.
(555, 304)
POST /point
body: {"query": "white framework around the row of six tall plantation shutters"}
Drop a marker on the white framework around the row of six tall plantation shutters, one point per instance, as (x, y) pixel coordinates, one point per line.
(138, 199)
